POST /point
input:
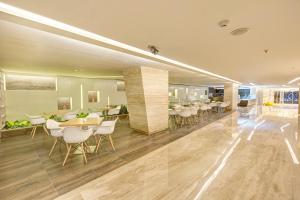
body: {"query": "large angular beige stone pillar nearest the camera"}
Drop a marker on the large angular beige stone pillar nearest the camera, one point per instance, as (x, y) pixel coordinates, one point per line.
(147, 98)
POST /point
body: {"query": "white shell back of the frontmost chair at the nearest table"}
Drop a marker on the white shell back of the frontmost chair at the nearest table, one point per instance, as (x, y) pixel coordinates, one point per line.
(76, 134)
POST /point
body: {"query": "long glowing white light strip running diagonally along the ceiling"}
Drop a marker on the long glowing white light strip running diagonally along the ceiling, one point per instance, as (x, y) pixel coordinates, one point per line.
(72, 29)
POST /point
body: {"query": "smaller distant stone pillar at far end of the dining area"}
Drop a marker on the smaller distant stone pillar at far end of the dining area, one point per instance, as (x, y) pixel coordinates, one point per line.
(231, 94)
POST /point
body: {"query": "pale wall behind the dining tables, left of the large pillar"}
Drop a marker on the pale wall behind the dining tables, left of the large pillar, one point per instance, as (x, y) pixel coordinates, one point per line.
(34, 102)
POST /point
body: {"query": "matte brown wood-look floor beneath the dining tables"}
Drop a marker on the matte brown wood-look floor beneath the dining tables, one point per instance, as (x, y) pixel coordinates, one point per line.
(26, 172)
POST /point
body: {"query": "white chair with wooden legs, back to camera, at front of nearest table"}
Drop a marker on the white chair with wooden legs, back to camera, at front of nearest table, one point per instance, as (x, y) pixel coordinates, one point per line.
(76, 137)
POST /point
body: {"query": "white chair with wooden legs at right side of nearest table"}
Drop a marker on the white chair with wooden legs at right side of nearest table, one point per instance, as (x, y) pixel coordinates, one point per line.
(105, 129)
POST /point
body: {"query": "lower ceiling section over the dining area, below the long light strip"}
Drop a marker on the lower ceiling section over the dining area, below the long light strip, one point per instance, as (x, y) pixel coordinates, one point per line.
(27, 50)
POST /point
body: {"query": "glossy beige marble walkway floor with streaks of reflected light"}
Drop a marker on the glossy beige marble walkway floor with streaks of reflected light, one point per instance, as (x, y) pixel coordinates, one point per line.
(253, 156)
